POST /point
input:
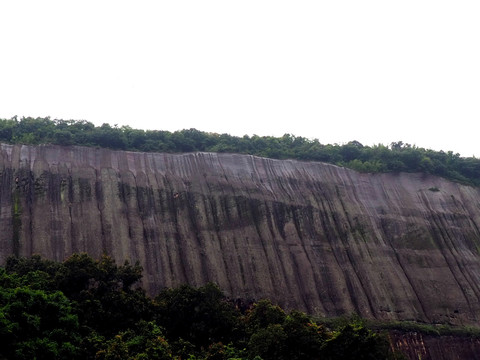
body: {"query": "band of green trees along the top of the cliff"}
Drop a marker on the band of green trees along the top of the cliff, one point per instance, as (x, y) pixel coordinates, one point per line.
(395, 157)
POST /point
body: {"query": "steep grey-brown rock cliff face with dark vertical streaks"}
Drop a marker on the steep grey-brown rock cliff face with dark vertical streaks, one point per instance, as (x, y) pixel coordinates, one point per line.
(312, 236)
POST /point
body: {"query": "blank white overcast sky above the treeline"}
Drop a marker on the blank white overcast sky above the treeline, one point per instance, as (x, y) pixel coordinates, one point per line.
(372, 71)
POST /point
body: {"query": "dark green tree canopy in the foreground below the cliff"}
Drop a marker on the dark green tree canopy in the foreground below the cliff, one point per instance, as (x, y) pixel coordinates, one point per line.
(90, 309)
